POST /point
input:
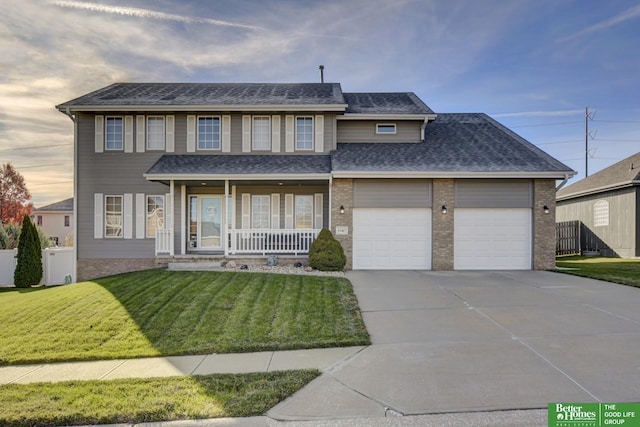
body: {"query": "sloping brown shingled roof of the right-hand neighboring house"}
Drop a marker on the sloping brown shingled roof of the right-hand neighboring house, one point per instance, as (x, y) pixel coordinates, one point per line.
(622, 174)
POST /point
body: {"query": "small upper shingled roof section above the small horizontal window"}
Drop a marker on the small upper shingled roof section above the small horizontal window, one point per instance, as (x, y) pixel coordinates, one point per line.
(385, 103)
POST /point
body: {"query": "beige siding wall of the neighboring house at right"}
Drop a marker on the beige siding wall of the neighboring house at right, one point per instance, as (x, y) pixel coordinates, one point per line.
(621, 235)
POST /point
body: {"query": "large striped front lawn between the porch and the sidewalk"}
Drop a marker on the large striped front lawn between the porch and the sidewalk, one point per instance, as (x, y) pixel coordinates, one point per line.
(160, 312)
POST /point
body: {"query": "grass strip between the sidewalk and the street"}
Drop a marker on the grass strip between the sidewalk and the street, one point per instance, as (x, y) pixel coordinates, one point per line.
(147, 400)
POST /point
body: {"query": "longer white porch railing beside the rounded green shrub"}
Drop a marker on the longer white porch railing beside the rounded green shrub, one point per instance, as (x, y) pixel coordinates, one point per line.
(281, 241)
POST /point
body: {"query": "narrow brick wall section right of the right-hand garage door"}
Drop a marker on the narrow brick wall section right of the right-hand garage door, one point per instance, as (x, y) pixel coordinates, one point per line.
(544, 225)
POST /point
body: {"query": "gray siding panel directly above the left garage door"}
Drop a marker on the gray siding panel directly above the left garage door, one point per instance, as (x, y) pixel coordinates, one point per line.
(392, 193)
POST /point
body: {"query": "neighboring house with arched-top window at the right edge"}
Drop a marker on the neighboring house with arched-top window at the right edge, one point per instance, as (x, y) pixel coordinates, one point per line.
(607, 204)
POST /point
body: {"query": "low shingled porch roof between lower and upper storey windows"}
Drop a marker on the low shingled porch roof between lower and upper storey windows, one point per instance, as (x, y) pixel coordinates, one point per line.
(188, 166)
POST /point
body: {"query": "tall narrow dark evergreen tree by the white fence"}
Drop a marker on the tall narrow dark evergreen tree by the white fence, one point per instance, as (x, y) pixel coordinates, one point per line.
(29, 267)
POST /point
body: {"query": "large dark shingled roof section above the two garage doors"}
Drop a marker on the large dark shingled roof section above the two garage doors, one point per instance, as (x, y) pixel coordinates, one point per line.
(455, 144)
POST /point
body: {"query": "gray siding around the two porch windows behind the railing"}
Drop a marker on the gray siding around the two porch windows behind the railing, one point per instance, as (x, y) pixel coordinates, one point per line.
(309, 190)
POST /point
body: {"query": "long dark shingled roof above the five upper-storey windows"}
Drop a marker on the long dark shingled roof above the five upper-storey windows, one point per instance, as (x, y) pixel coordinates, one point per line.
(211, 95)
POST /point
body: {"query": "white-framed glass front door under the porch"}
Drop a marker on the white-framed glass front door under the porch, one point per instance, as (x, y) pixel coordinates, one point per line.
(205, 222)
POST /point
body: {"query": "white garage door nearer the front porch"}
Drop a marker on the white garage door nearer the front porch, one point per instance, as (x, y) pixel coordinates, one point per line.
(391, 239)
